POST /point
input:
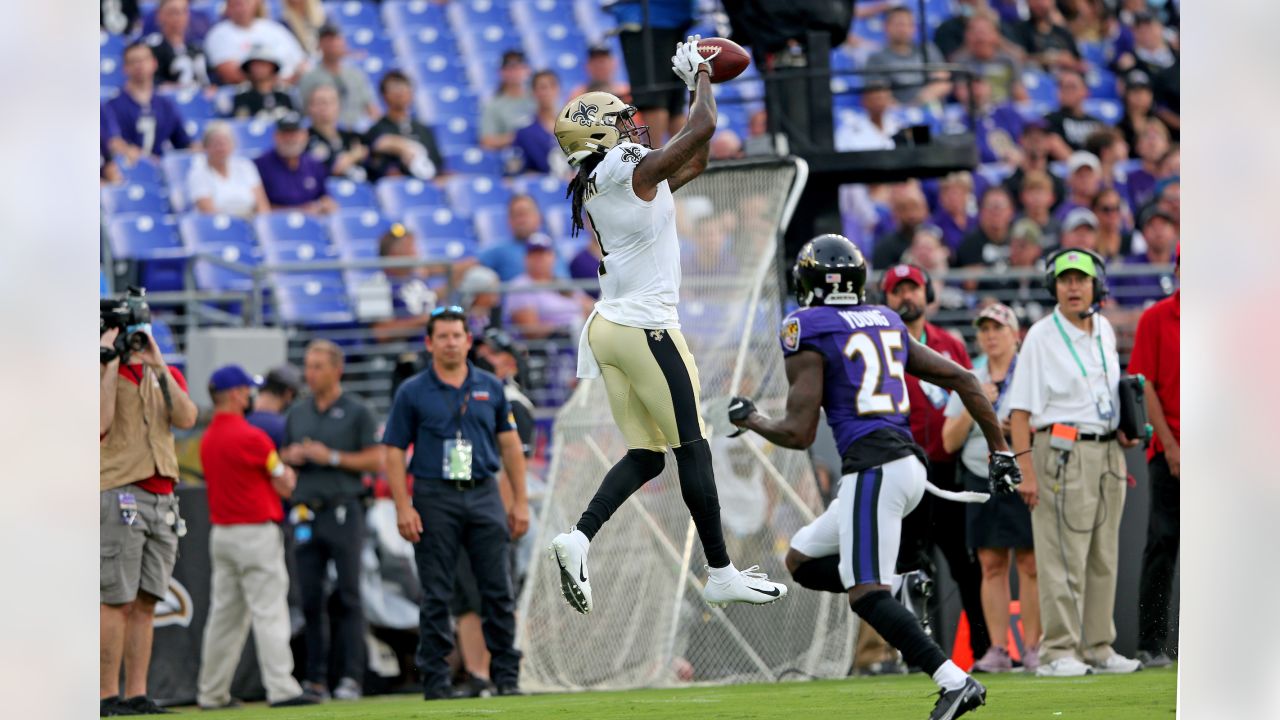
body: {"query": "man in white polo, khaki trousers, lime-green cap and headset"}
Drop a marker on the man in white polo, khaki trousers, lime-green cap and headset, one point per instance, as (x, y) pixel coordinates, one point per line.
(1068, 384)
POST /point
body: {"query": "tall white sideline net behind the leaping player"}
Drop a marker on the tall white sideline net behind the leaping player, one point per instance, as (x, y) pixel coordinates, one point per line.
(650, 626)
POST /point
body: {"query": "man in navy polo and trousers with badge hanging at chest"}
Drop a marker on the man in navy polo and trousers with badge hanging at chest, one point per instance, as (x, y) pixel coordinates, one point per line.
(459, 421)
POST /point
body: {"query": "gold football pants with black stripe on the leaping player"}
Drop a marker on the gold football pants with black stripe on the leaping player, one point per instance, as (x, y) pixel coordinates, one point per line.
(653, 385)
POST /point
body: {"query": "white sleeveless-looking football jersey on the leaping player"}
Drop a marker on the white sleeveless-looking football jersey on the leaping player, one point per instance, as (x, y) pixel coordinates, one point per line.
(641, 272)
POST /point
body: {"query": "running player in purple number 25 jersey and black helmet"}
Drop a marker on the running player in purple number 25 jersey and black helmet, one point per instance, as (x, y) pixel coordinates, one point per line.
(852, 359)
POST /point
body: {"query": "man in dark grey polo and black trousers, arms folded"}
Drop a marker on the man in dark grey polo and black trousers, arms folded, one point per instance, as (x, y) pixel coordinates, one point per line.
(332, 441)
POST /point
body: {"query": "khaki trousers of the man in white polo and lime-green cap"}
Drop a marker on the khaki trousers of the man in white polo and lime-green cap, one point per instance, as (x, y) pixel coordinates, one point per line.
(1077, 532)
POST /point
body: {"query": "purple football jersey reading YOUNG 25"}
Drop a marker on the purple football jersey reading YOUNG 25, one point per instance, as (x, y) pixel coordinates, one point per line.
(865, 357)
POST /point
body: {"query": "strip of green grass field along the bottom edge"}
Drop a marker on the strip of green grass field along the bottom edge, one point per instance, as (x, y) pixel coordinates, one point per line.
(1150, 694)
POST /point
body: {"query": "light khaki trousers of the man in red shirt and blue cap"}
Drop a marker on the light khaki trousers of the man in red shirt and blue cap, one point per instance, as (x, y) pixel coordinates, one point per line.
(250, 587)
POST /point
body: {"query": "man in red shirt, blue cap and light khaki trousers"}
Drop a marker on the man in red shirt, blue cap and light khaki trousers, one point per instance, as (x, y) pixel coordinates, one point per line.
(250, 585)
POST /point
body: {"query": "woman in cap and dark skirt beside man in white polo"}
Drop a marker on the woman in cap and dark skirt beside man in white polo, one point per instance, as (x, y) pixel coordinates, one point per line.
(1003, 526)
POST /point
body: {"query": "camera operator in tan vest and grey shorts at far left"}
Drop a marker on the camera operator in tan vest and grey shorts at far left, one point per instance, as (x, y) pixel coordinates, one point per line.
(139, 517)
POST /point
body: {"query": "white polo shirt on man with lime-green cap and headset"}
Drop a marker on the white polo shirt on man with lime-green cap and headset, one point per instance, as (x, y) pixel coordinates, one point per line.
(1049, 382)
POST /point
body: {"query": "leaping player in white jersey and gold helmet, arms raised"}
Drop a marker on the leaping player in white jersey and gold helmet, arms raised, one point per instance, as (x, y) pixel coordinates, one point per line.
(633, 338)
